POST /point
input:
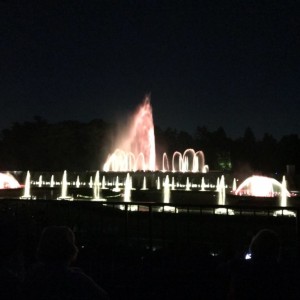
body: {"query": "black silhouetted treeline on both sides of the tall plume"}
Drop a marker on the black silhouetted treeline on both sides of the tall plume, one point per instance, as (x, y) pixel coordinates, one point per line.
(73, 145)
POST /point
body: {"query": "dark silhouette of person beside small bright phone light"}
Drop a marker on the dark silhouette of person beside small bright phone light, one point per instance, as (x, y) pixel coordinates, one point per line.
(261, 276)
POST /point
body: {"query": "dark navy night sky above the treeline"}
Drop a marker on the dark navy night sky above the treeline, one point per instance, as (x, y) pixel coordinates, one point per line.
(210, 63)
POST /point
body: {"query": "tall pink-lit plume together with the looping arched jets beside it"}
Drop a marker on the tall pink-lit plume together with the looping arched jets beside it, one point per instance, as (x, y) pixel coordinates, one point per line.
(135, 149)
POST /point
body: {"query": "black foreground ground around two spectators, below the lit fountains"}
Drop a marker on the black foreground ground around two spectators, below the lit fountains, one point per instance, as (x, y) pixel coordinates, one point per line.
(148, 254)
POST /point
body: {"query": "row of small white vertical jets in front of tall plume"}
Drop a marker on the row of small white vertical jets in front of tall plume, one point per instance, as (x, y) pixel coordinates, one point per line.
(126, 187)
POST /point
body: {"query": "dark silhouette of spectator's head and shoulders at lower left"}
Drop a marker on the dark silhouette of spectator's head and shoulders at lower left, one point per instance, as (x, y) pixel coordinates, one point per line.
(53, 278)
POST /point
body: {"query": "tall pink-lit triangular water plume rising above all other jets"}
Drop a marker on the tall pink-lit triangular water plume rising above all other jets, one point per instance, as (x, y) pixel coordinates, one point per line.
(136, 145)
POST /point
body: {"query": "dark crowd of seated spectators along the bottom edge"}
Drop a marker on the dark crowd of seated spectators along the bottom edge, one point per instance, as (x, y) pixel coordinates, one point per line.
(263, 271)
